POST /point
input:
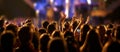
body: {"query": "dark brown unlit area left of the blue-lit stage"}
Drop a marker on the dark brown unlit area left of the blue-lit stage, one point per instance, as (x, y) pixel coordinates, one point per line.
(16, 8)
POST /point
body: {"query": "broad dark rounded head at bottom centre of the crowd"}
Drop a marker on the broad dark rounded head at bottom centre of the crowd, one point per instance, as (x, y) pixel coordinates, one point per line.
(57, 45)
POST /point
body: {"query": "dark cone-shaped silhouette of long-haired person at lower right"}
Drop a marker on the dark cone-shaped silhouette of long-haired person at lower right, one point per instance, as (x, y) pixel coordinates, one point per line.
(92, 42)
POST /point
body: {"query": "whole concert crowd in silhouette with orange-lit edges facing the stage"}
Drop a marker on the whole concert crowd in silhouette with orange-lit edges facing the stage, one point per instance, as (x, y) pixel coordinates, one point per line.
(62, 36)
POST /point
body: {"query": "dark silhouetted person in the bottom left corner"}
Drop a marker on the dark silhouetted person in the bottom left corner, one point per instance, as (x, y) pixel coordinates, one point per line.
(8, 41)
